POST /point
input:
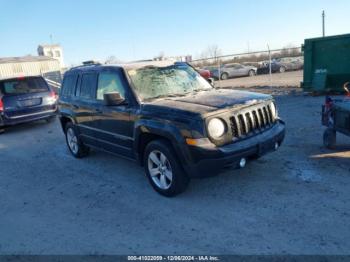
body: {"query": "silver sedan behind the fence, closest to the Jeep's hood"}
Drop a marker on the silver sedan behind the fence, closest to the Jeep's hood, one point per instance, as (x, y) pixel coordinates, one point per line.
(233, 70)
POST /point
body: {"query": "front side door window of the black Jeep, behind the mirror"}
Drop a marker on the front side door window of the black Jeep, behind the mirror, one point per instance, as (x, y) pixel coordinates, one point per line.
(109, 82)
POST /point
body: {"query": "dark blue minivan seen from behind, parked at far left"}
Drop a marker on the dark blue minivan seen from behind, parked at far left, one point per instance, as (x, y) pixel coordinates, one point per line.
(26, 99)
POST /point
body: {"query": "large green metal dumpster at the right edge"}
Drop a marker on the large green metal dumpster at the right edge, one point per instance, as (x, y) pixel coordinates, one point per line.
(326, 63)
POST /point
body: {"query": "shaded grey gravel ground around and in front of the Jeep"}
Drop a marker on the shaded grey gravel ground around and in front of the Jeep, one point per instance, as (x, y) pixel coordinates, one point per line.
(293, 201)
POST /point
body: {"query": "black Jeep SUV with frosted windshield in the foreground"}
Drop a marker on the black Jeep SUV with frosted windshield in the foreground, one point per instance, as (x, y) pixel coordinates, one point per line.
(167, 117)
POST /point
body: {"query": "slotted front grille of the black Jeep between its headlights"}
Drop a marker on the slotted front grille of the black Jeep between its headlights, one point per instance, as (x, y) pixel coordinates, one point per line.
(255, 120)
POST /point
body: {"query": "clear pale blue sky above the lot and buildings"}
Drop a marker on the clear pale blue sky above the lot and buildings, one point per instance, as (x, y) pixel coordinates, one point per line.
(141, 29)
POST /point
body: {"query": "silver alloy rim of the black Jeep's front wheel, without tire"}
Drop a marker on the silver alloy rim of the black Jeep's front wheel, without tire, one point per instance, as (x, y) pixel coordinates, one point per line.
(160, 169)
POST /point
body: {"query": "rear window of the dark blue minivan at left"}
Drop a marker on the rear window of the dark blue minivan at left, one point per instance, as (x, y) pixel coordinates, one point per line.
(23, 86)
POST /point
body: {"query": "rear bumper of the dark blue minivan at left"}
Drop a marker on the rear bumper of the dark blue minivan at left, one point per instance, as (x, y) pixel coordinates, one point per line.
(10, 121)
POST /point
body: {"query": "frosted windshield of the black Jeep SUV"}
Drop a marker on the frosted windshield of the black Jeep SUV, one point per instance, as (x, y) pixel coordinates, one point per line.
(154, 82)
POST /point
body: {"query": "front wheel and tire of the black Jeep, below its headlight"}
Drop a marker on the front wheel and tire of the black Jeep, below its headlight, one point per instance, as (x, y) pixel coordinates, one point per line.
(163, 169)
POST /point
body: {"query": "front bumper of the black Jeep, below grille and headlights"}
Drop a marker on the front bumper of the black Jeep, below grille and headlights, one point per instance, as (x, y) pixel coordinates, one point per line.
(210, 160)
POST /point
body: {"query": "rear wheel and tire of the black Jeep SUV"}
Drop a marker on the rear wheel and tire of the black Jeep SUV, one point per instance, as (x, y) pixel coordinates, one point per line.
(74, 143)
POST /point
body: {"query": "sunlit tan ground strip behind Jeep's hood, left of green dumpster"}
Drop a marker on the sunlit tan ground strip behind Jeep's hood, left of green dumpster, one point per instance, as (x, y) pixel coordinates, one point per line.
(276, 80)
